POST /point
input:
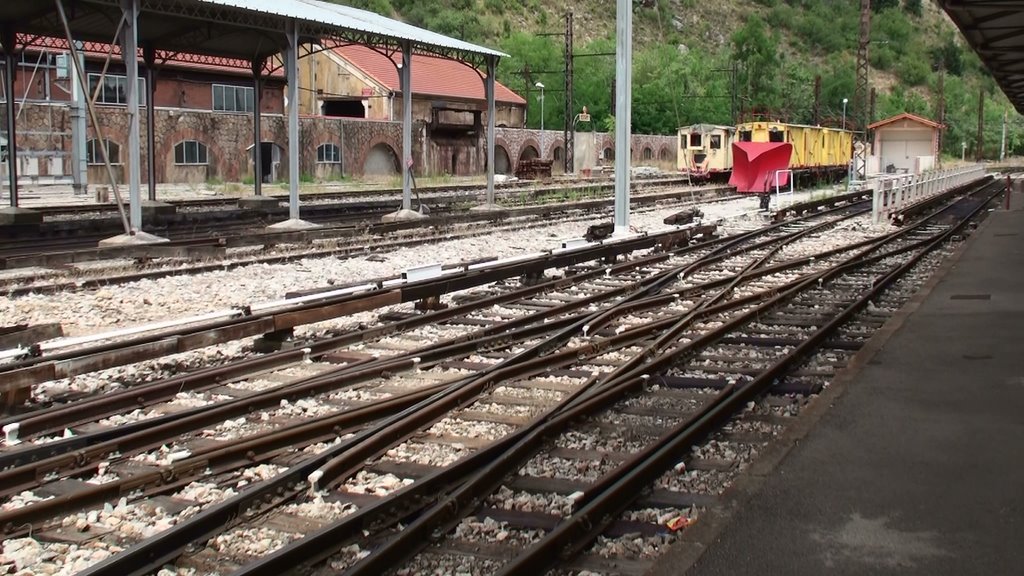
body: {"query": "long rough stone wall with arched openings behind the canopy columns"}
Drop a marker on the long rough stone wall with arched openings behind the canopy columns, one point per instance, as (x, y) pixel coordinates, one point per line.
(228, 138)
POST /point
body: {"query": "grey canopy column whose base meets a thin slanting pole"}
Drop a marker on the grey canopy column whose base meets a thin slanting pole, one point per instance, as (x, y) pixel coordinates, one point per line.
(130, 52)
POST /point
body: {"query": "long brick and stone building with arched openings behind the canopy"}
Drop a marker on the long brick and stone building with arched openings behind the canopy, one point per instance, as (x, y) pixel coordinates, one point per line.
(350, 122)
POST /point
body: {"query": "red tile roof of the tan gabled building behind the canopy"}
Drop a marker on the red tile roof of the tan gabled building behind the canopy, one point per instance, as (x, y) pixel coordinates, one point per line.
(432, 75)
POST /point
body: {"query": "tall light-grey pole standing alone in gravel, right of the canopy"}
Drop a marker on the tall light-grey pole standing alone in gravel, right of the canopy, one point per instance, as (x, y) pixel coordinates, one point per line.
(624, 87)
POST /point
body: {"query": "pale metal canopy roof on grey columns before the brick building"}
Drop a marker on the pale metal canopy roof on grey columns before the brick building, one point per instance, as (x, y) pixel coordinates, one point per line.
(248, 30)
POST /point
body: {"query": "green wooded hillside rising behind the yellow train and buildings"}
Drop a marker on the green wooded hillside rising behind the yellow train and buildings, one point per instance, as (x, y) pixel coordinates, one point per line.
(686, 54)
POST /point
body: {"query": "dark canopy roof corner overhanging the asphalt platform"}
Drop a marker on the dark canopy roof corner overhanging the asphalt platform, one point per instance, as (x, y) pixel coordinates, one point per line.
(995, 29)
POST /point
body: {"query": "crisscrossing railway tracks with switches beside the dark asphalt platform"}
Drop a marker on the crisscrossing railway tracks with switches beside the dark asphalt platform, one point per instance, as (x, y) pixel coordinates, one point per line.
(516, 372)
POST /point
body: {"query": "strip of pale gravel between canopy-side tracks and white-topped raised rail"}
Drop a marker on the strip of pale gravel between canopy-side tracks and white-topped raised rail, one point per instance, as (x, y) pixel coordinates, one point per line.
(151, 301)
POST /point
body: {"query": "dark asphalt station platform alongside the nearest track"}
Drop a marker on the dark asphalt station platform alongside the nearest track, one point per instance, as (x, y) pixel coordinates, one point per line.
(913, 462)
